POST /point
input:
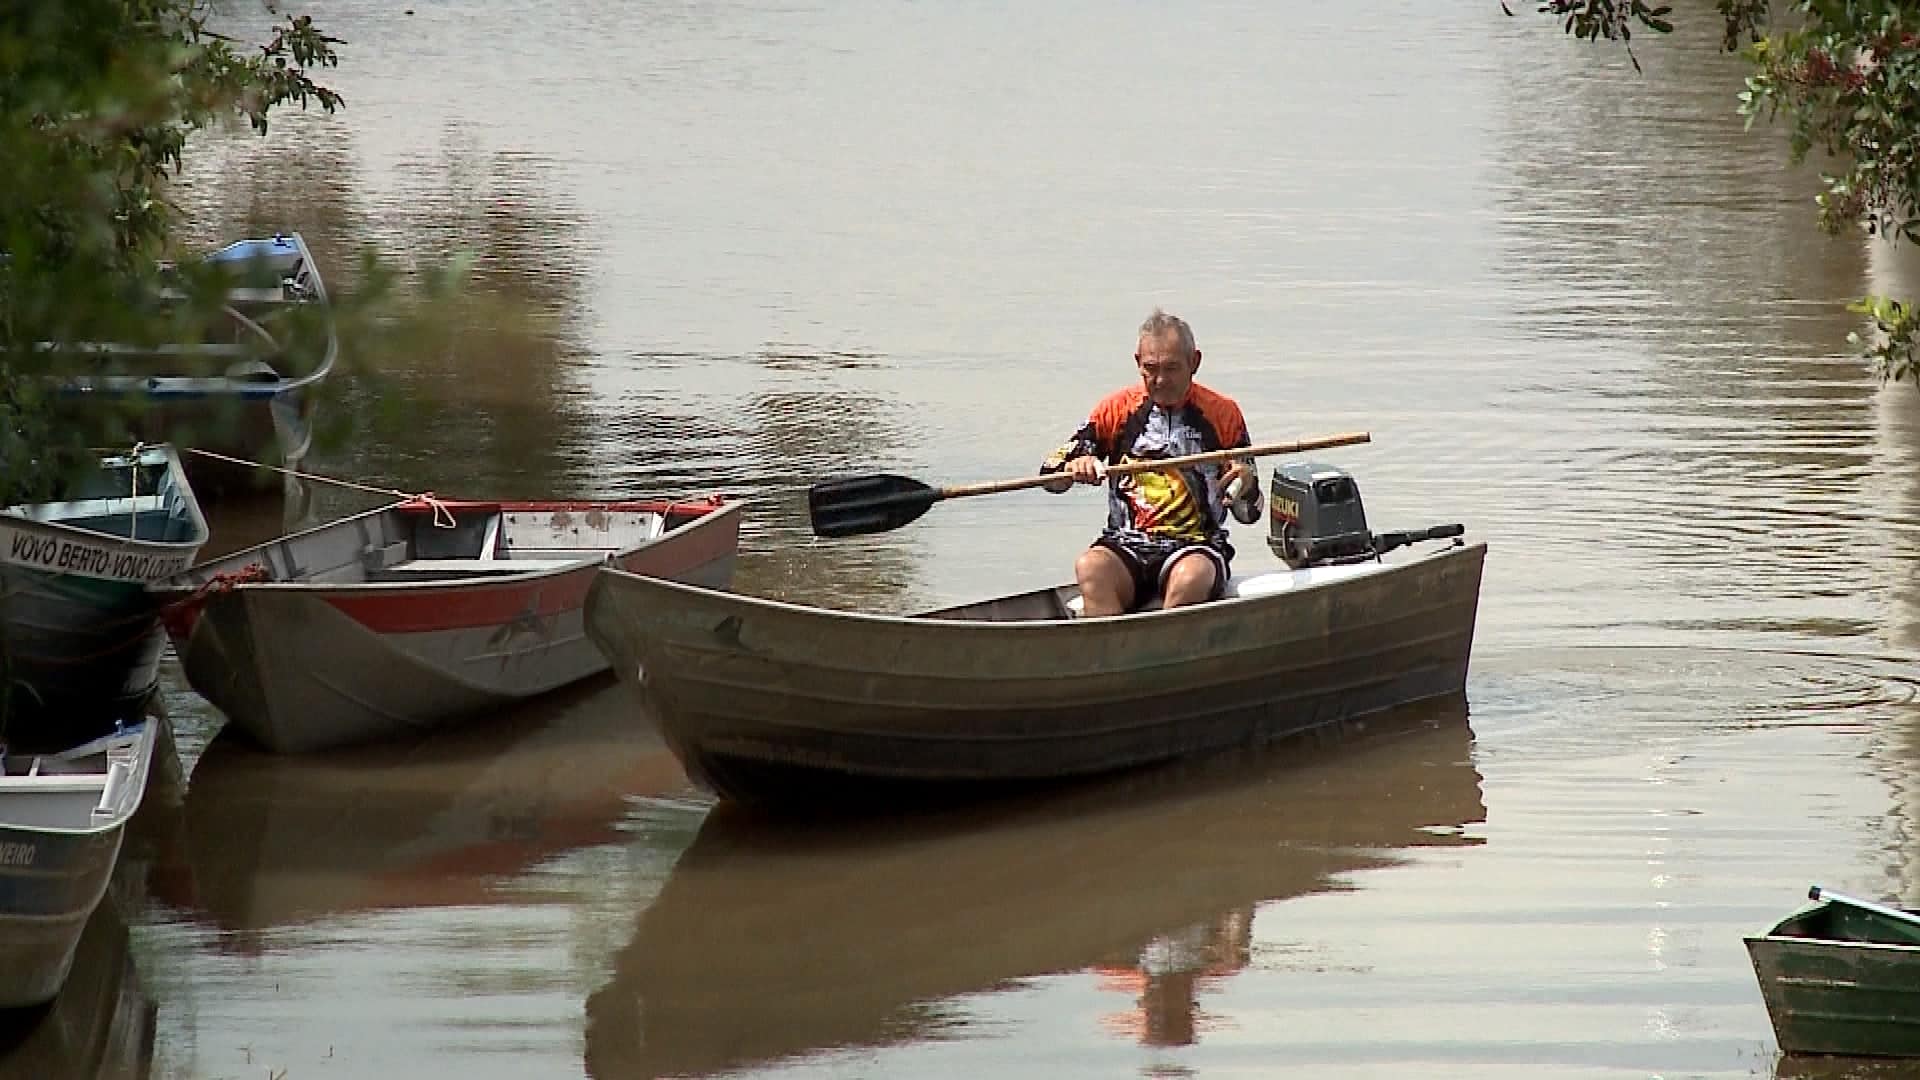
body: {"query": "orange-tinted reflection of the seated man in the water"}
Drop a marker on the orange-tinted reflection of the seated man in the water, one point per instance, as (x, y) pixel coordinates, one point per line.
(1170, 971)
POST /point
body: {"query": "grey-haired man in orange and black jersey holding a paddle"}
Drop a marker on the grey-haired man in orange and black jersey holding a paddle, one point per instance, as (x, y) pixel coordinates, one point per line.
(1166, 533)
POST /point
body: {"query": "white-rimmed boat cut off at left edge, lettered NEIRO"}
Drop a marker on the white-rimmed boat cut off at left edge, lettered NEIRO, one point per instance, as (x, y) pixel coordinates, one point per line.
(62, 818)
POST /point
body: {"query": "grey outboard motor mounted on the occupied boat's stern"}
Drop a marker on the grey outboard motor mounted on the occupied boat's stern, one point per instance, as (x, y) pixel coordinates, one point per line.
(1318, 518)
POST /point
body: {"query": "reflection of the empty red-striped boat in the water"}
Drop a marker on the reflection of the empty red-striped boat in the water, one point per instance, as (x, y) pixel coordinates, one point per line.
(276, 841)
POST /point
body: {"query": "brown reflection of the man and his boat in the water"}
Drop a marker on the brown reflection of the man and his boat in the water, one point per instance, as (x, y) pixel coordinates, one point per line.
(775, 941)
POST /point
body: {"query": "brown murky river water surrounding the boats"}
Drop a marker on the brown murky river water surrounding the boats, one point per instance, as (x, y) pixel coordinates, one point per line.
(761, 243)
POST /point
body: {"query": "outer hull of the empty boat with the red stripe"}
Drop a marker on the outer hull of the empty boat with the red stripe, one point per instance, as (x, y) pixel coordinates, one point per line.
(302, 668)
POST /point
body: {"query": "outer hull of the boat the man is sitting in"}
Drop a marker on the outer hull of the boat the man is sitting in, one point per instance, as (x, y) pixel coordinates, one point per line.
(773, 702)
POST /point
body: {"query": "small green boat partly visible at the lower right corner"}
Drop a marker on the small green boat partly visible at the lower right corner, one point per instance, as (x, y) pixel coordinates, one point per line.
(1842, 977)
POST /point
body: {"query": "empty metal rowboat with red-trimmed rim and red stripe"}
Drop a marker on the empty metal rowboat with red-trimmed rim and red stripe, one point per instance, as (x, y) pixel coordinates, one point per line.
(423, 612)
